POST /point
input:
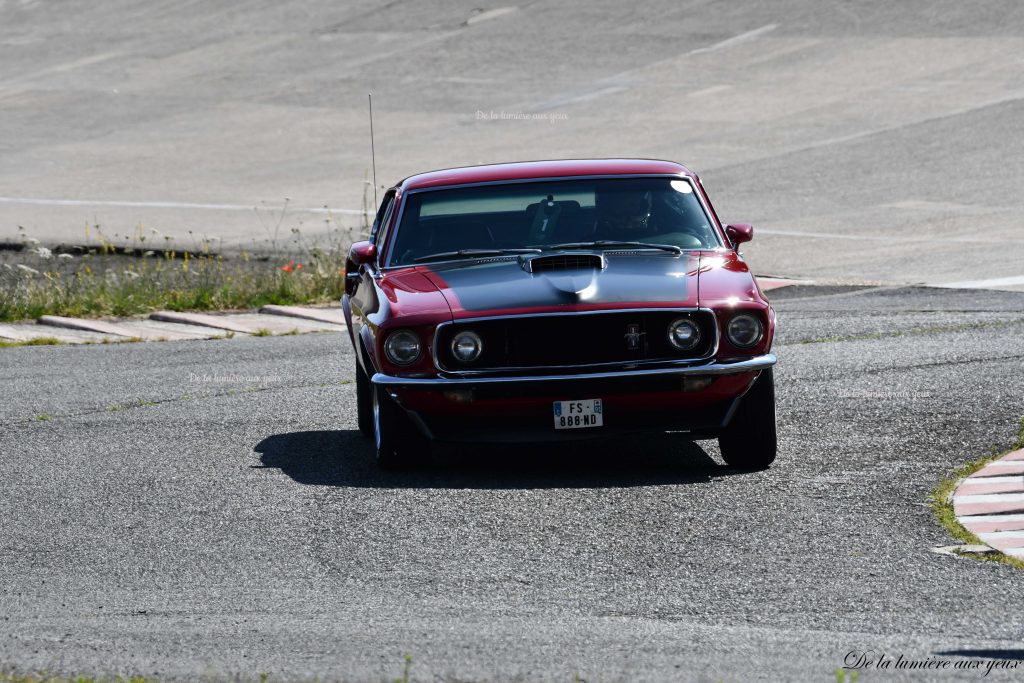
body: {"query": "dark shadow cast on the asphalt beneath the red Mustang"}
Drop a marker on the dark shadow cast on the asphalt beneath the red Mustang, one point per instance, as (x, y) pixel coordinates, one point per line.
(346, 458)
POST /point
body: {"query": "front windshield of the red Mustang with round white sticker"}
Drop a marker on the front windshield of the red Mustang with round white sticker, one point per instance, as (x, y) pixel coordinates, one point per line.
(484, 221)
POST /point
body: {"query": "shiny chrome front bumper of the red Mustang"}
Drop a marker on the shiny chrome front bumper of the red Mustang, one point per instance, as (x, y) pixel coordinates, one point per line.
(751, 365)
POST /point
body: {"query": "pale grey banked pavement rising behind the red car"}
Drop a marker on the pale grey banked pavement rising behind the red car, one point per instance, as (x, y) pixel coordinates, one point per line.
(870, 142)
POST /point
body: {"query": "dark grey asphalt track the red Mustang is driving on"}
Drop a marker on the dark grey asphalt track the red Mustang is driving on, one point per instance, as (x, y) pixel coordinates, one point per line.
(207, 508)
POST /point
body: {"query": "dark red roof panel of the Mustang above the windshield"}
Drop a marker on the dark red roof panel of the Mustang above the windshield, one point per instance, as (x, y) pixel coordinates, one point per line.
(561, 168)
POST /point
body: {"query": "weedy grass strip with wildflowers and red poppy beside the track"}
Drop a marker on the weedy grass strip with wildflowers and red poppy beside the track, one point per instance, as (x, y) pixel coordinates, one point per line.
(147, 271)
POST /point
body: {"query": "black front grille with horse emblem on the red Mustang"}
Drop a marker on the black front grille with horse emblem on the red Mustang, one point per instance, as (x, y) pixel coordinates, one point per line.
(573, 340)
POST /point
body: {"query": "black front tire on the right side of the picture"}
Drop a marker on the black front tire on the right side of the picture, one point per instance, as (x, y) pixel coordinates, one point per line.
(749, 442)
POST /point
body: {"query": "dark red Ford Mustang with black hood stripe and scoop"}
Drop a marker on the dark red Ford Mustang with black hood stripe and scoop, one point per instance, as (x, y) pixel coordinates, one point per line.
(559, 301)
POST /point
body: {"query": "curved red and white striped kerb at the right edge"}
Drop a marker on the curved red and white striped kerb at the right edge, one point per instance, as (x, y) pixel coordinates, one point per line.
(991, 504)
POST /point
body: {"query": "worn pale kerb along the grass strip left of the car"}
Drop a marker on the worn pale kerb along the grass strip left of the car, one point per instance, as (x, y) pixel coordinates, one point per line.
(173, 326)
